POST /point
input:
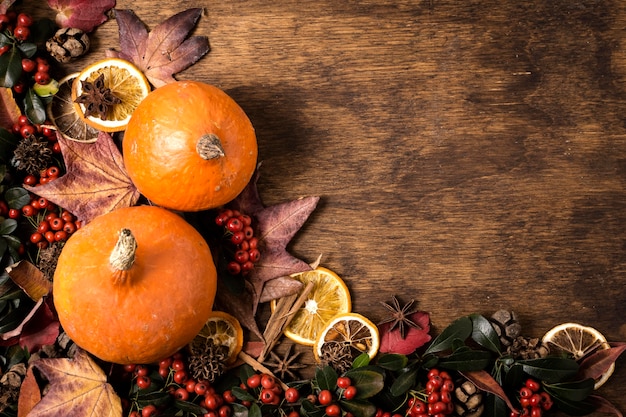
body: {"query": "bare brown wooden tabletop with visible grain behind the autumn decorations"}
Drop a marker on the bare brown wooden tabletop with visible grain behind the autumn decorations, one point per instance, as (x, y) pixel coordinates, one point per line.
(468, 154)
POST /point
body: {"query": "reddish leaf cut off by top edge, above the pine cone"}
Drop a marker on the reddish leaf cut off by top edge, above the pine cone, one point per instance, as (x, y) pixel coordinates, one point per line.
(81, 14)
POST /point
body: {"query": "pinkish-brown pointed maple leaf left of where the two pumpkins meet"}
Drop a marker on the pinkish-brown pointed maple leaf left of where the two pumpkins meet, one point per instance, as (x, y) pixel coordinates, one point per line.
(96, 181)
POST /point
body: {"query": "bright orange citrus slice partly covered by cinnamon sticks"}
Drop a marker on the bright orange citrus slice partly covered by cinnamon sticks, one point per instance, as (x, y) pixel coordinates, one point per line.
(329, 297)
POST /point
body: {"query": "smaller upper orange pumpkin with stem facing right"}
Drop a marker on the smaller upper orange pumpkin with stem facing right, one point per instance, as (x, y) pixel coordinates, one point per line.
(189, 146)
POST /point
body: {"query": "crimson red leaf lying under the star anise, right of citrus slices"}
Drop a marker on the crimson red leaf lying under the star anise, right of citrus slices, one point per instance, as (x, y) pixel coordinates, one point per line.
(414, 338)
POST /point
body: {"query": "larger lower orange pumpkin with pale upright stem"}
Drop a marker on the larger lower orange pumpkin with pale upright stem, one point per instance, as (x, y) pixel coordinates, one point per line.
(134, 285)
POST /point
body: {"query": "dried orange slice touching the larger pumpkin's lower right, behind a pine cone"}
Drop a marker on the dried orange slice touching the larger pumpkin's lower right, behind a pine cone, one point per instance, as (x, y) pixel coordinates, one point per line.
(221, 329)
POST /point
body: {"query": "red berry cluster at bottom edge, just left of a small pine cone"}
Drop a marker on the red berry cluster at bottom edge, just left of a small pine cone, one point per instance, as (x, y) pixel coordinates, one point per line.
(437, 400)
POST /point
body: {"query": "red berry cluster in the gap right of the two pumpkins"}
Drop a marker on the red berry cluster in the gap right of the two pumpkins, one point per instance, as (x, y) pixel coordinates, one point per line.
(240, 234)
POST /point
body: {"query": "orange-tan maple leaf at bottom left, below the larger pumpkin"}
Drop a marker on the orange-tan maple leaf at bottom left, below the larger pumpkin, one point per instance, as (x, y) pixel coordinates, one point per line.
(78, 387)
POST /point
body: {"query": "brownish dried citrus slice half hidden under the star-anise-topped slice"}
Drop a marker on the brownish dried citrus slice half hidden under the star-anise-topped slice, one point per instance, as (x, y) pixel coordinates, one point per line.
(63, 115)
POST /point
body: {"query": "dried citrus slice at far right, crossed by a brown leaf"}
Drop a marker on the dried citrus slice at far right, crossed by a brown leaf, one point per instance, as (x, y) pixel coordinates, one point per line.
(578, 341)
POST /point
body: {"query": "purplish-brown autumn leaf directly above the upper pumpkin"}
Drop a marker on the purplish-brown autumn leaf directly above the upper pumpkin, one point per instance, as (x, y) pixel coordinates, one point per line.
(166, 50)
